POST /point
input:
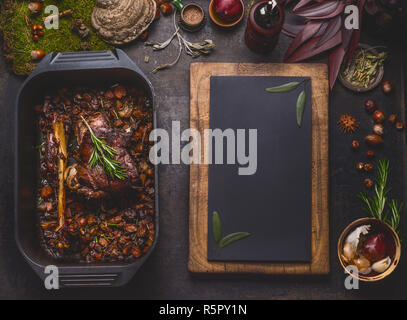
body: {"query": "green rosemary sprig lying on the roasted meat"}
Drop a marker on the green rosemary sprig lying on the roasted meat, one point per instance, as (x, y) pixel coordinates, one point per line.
(103, 155)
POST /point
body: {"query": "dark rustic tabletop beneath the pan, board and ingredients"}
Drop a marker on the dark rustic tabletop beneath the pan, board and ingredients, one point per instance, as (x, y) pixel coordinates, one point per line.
(165, 275)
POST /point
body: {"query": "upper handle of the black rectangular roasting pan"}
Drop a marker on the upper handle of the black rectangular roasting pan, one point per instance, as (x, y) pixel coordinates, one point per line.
(59, 61)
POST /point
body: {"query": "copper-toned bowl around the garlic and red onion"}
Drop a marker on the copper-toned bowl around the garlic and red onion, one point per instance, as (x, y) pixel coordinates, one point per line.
(384, 226)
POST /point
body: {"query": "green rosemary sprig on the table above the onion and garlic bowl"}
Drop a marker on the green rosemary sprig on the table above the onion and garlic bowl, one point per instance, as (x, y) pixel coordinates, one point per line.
(375, 205)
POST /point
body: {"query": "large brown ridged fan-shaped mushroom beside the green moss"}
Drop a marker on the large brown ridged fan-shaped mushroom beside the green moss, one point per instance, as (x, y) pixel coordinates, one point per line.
(121, 21)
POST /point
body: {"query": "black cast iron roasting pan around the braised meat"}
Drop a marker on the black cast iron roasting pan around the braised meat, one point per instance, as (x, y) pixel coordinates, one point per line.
(102, 68)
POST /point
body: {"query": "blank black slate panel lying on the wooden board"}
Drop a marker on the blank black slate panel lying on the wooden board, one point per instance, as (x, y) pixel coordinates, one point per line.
(274, 204)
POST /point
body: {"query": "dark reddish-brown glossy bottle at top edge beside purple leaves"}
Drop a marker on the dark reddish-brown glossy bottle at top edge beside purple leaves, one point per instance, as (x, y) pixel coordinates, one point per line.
(264, 25)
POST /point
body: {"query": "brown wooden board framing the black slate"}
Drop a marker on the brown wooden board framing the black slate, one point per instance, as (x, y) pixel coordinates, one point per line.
(200, 74)
